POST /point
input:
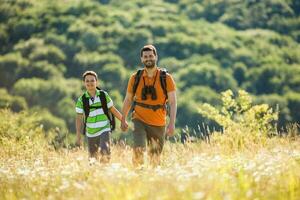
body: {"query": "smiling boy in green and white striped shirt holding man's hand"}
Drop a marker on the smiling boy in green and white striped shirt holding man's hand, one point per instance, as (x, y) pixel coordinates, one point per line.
(97, 125)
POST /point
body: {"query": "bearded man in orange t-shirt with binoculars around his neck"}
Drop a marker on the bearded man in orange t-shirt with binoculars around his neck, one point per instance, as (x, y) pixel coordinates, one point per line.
(149, 108)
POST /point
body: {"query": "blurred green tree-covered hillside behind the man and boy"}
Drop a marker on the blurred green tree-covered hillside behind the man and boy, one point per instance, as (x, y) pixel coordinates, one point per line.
(209, 46)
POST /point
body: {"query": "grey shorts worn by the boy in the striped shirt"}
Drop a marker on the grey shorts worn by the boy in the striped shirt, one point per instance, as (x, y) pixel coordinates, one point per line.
(101, 141)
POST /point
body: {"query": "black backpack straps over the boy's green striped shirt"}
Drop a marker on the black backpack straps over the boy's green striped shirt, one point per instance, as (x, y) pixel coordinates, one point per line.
(86, 108)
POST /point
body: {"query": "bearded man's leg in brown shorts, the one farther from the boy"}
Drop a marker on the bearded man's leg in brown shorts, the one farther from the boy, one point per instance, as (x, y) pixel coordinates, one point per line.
(155, 138)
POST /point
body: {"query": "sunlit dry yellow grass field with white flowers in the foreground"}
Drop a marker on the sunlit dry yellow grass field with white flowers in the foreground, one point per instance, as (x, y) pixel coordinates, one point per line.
(192, 171)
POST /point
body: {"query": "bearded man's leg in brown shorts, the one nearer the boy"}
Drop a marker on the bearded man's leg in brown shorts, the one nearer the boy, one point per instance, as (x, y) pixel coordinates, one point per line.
(139, 142)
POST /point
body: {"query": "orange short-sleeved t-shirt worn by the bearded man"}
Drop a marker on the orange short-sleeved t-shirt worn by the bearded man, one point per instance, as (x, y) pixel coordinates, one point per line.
(146, 115)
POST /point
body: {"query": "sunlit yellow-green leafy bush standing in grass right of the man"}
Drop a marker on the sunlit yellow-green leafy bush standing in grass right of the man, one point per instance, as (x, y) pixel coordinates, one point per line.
(243, 124)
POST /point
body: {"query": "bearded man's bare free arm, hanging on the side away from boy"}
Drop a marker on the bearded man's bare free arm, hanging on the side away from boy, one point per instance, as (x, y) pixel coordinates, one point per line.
(173, 110)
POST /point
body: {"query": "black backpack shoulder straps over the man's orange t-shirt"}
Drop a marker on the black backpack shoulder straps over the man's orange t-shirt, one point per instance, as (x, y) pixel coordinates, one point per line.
(162, 78)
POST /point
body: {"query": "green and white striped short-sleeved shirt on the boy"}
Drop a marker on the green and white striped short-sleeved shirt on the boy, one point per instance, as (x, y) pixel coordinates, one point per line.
(97, 122)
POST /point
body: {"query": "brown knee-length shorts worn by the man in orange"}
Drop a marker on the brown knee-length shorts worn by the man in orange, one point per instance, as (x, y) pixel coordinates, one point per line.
(155, 136)
